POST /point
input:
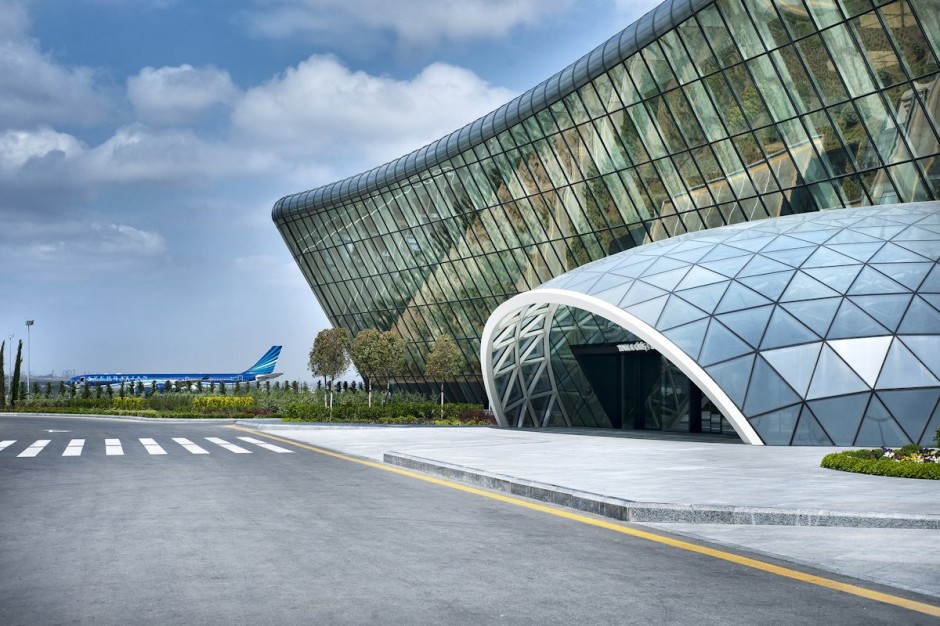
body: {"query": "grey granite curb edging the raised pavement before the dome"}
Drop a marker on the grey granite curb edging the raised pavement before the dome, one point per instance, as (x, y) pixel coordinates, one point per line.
(653, 512)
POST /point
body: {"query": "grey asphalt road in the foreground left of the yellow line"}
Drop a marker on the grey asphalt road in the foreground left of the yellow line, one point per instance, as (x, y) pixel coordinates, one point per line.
(273, 537)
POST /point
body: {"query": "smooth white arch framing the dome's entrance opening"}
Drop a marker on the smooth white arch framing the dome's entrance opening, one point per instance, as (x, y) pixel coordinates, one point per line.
(625, 320)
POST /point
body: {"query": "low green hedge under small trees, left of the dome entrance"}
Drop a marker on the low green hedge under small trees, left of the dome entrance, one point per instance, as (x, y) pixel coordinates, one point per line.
(392, 413)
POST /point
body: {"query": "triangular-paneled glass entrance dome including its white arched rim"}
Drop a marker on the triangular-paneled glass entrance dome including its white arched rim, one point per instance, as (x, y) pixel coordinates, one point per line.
(814, 329)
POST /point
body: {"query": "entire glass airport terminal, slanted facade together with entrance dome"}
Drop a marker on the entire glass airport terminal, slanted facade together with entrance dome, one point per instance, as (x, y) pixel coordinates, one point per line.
(724, 219)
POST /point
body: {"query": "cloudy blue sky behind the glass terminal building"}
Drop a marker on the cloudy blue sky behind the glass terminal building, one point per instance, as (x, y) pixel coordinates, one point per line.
(143, 144)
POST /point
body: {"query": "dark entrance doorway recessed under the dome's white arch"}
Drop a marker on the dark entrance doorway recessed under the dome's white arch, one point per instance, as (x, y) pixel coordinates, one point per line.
(641, 390)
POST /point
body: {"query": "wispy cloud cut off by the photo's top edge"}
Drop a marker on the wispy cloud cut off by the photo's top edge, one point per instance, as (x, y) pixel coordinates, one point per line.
(412, 22)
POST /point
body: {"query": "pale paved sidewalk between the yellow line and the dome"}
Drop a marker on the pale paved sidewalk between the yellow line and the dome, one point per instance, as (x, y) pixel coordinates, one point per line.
(771, 500)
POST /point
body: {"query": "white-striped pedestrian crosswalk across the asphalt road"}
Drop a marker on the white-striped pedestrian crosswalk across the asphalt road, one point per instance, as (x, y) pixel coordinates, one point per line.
(116, 447)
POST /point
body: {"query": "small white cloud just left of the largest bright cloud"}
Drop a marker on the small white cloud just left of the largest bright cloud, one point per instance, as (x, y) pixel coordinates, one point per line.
(171, 95)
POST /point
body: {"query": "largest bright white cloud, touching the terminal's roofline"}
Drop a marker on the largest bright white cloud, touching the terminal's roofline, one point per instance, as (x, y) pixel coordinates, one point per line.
(321, 108)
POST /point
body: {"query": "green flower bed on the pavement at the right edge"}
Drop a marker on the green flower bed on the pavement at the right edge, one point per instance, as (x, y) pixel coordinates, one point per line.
(911, 461)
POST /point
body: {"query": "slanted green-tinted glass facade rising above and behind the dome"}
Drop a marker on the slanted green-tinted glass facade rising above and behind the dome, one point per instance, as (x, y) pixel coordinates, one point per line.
(701, 114)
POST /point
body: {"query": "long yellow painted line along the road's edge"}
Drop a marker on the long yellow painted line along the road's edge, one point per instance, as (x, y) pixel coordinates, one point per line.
(920, 607)
